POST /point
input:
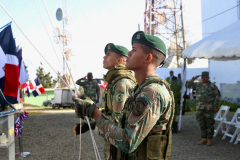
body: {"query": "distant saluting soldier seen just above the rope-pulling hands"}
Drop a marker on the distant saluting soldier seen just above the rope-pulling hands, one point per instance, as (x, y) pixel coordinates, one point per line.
(91, 88)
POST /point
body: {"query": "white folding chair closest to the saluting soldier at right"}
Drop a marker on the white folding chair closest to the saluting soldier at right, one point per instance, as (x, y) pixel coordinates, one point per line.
(219, 117)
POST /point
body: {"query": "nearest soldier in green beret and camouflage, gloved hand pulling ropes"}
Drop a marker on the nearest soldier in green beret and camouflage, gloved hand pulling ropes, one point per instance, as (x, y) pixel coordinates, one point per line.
(146, 130)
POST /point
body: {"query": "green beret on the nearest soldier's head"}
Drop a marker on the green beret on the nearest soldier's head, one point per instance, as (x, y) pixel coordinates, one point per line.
(149, 40)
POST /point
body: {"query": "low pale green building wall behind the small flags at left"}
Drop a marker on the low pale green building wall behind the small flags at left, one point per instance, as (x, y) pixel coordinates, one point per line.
(38, 101)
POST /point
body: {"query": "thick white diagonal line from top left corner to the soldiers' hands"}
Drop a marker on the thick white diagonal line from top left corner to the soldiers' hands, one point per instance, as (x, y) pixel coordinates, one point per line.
(33, 45)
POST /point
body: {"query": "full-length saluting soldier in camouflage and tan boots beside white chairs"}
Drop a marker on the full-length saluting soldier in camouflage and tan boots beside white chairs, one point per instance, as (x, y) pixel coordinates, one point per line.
(207, 98)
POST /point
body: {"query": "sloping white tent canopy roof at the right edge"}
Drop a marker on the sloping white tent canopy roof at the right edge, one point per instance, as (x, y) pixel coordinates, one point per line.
(223, 45)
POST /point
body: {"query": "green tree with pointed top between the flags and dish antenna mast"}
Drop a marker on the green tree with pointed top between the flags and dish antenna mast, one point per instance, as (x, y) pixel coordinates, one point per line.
(45, 78)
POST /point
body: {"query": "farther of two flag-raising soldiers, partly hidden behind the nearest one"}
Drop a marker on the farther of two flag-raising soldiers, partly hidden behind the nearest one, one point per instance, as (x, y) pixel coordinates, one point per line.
(120, 83)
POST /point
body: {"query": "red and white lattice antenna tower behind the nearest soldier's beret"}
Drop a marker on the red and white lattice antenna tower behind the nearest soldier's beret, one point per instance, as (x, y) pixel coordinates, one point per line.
(164, 18)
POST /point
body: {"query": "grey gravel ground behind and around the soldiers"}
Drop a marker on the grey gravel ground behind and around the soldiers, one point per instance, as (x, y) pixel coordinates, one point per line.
(49, 136)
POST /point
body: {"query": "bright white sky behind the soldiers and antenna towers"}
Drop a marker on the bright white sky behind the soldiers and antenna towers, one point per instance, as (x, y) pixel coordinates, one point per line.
(93, 24)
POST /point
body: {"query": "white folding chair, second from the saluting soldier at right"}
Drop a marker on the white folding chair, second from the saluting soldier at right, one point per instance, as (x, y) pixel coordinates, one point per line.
(235, 122)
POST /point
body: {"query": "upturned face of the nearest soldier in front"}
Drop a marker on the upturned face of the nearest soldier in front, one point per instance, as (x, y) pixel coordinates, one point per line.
(136, 57)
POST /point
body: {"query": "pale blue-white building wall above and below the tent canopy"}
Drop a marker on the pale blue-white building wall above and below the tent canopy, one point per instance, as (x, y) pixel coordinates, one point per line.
(221, 71)
